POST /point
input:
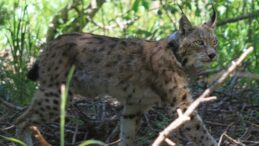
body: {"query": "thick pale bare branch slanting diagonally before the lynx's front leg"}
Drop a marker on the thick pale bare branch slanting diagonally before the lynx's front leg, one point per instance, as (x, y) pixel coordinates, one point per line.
(183, 117)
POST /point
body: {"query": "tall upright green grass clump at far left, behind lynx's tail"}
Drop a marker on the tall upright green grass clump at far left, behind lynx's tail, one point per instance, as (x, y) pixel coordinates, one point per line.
(22, 47)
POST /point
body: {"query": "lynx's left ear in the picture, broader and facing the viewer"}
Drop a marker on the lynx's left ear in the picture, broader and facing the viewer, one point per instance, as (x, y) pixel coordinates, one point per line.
(185, 25)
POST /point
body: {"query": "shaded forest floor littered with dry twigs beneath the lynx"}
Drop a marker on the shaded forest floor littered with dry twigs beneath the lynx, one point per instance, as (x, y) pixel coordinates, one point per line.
(231, 115)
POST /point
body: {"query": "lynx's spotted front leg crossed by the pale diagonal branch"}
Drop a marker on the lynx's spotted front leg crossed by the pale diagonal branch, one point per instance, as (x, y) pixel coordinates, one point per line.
(177, 95)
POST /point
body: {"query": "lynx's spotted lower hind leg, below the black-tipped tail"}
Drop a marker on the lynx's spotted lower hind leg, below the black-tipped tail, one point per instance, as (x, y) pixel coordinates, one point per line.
(44, 108)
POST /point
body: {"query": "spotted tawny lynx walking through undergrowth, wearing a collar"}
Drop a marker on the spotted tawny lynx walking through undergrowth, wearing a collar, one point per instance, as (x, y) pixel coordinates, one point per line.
(139, 73)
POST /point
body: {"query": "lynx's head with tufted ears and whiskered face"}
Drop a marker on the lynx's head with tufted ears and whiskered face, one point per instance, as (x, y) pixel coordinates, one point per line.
(194, 46)
